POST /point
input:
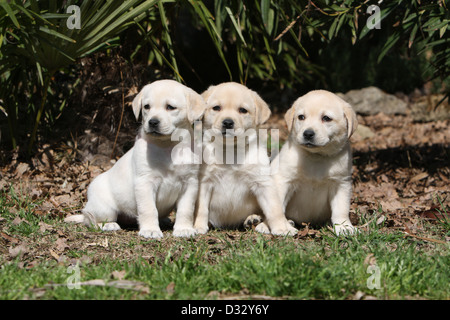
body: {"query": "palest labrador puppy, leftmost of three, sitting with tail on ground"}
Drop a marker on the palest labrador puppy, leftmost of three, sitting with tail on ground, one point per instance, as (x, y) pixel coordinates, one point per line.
(151, 179)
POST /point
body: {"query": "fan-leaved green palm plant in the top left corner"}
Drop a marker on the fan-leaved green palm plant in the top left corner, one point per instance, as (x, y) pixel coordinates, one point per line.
(35, 34)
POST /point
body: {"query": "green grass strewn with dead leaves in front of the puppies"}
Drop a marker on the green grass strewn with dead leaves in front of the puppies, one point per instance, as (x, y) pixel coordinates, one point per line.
(221, 264)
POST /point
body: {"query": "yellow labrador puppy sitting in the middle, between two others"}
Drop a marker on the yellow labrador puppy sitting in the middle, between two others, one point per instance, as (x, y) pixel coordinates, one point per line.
(235, 179)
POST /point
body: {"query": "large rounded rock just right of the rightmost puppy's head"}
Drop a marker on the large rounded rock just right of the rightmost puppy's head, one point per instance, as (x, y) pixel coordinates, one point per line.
(371, 101)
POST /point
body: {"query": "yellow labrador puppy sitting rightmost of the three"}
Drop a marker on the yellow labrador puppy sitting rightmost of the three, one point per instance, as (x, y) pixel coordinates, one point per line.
(315, 164)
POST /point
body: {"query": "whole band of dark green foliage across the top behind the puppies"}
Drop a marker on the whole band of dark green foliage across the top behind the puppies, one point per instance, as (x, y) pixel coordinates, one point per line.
(275, 44)
